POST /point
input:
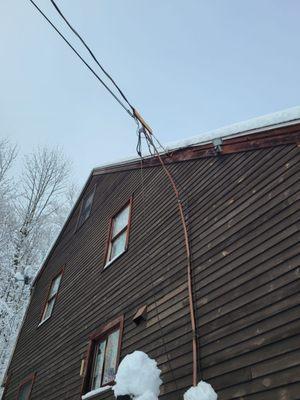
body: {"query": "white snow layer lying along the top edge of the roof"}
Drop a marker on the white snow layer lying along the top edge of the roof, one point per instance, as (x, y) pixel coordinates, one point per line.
(265, 122)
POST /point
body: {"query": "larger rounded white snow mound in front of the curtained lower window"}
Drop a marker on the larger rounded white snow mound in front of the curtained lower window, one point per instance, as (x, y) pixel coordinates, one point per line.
(138, 376)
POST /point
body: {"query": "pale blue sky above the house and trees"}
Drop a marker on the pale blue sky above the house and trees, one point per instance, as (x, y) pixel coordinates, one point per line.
(189, 66)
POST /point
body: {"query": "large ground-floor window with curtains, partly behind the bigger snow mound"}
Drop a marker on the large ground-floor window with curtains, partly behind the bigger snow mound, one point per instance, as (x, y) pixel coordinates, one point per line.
(103, 356)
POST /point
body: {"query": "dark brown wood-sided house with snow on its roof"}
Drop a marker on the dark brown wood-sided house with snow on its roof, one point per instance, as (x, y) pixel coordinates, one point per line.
(115, 280)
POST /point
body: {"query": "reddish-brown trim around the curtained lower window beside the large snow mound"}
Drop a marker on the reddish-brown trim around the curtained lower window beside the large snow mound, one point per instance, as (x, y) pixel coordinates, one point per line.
(95, 337)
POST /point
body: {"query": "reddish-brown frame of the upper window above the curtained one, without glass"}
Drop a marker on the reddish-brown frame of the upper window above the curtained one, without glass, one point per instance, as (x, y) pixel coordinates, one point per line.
(111, 239)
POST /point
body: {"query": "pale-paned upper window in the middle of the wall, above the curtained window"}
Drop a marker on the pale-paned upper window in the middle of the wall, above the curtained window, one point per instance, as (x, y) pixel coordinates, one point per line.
(118, 234)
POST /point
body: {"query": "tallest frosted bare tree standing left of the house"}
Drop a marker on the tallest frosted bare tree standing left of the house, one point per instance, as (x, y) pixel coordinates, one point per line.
(44, 180)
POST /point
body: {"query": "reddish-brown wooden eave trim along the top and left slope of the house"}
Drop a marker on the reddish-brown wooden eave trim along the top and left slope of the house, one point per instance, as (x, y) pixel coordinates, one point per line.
(268, 136)
